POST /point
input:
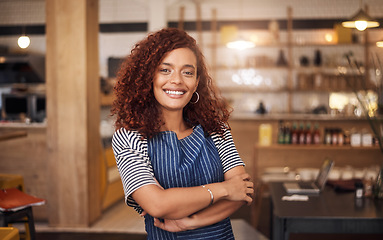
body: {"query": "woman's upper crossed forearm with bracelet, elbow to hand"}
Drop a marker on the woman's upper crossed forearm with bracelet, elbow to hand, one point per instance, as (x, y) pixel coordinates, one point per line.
(177, 203)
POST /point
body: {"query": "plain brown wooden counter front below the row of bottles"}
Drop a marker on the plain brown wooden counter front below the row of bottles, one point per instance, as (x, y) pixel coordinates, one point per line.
(311, 156)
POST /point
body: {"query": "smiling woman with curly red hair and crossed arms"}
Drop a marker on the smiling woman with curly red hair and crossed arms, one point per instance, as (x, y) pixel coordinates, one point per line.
(174, 151)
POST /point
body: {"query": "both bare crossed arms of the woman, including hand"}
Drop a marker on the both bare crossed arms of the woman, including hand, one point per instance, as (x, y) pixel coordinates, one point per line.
(188, 208)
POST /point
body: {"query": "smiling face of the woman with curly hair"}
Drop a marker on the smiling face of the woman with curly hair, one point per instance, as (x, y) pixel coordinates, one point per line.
(175, 80)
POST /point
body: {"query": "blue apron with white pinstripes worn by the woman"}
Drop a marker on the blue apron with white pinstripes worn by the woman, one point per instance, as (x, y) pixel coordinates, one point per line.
(191, 161)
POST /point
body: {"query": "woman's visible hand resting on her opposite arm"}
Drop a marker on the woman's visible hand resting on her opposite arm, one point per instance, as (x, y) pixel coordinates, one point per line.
(240, 188)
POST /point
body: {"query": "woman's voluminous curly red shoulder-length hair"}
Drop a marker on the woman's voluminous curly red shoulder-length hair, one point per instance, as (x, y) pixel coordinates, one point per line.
(135, 104)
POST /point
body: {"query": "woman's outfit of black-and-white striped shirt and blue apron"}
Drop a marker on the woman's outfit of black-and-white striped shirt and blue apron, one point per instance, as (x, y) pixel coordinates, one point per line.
(192, 161)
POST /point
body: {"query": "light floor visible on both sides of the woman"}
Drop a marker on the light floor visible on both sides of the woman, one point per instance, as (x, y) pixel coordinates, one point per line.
(123, 219)
